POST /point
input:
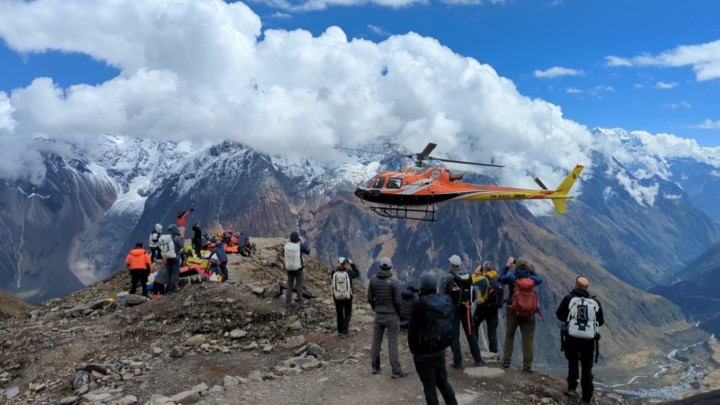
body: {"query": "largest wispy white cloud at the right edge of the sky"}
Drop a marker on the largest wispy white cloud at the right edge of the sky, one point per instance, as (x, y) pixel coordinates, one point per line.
(703, 58)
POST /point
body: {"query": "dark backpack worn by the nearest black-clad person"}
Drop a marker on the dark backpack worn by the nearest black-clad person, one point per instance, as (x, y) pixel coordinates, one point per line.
(438, 332)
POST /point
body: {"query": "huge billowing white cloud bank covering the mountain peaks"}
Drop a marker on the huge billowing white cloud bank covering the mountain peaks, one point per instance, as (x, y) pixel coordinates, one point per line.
(195, 70)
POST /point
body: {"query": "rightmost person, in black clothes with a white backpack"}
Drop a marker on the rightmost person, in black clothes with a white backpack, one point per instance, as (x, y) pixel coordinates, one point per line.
(579, 349)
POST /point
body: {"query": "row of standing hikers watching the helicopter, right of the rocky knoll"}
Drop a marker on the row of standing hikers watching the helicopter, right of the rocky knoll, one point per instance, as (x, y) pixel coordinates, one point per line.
(444, 305)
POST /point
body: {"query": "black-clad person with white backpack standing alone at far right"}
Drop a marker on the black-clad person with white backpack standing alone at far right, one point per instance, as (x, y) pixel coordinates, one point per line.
(582, 315)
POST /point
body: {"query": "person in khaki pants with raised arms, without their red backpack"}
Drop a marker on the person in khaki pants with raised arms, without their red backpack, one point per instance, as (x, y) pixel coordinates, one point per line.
(522, 270)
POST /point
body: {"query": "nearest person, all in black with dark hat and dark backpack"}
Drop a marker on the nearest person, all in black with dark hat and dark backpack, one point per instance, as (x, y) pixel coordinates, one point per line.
(429, 359)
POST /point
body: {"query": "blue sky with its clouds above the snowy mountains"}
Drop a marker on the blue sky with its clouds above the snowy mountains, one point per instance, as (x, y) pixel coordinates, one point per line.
(488, 79)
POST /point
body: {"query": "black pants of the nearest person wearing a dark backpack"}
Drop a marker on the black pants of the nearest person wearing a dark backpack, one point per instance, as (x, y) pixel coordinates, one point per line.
(433, 373)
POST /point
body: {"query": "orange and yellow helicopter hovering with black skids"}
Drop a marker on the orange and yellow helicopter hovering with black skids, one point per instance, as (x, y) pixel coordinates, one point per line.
(415, 192)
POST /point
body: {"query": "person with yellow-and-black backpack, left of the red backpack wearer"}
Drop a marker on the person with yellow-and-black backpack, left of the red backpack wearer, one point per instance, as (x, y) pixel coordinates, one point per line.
(486, 309)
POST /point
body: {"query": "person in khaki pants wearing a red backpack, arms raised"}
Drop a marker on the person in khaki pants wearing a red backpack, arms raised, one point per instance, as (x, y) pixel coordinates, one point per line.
(522, 278)
